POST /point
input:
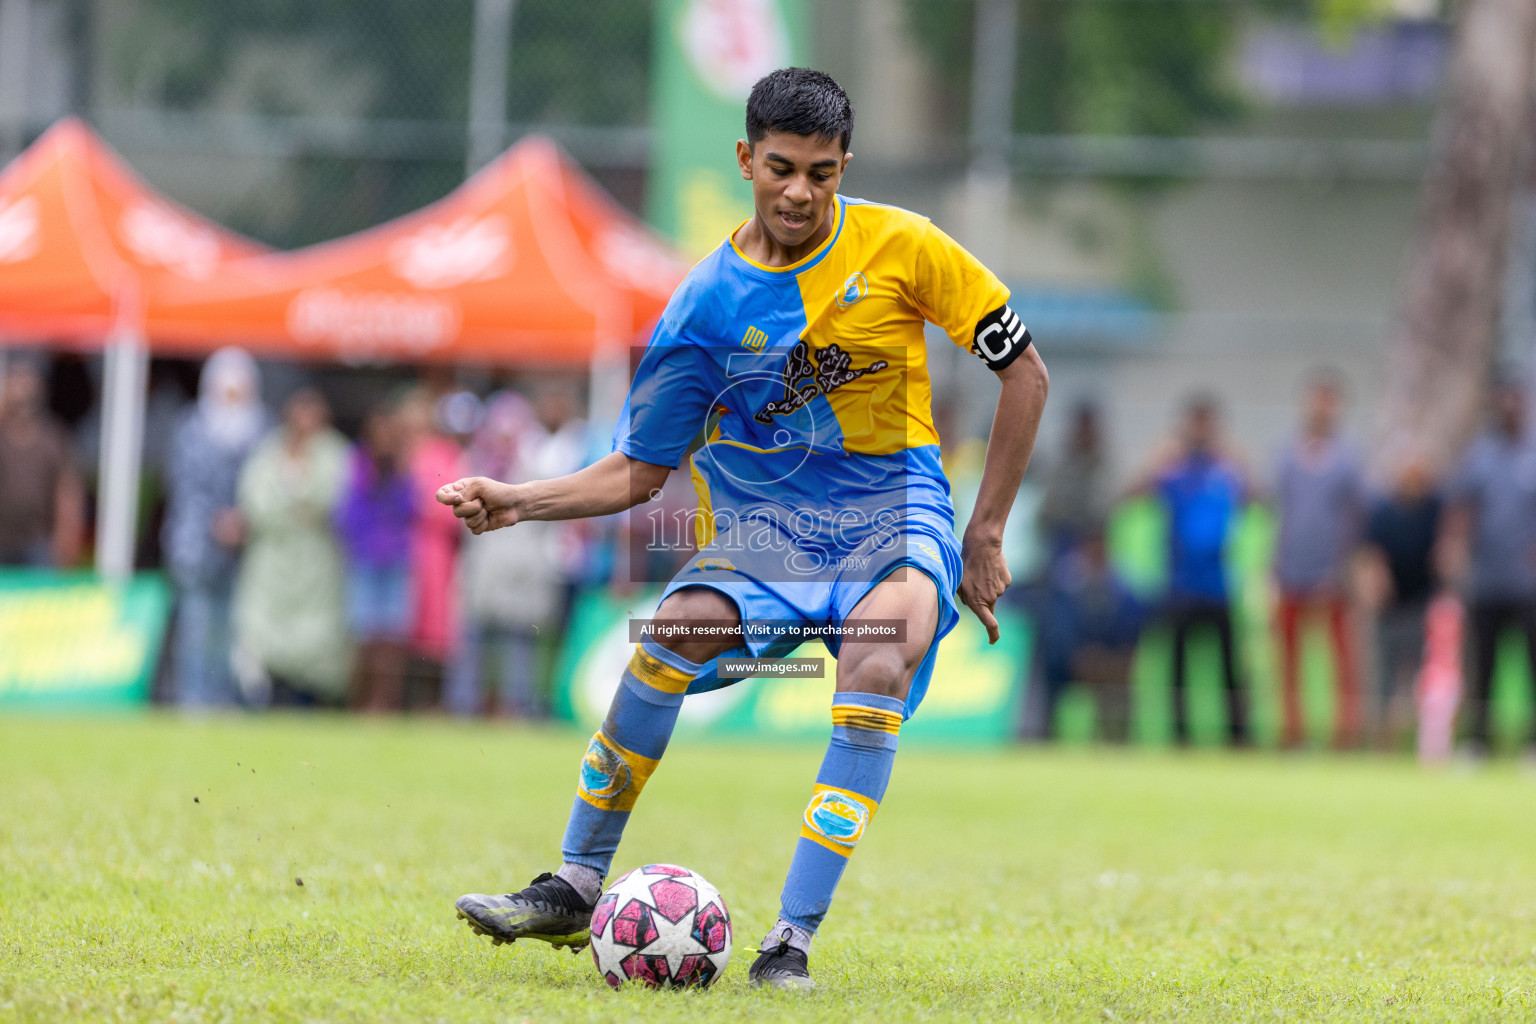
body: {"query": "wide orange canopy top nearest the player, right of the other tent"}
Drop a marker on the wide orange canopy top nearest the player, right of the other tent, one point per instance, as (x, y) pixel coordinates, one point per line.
(529, 263)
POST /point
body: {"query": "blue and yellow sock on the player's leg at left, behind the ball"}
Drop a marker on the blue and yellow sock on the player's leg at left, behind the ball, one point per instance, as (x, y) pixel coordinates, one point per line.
(623, 756)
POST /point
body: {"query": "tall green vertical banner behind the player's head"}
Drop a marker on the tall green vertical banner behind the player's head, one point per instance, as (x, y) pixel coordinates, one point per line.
(709, 55)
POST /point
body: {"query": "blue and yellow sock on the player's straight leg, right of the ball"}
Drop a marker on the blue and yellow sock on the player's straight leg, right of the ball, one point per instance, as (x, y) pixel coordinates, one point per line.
(849, 790)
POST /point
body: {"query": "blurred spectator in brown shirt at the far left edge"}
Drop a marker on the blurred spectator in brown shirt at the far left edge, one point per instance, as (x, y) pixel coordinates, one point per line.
(42, 497)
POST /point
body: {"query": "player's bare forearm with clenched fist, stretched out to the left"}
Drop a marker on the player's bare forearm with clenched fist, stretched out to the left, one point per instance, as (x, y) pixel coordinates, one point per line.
(609, 486)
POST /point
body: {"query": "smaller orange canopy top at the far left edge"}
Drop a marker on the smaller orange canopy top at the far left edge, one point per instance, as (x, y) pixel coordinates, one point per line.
(82, 240)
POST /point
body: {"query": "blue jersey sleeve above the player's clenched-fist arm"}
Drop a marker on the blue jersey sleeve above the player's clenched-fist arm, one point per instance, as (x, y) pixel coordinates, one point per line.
(669, 400)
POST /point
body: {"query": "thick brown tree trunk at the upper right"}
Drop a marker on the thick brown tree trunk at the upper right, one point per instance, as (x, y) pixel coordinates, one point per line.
(1443, 345)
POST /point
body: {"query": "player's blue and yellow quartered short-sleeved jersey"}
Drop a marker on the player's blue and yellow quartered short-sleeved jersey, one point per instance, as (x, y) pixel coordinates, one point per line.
(810, 383)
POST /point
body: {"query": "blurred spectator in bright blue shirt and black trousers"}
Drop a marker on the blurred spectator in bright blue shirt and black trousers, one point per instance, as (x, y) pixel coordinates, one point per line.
(1203, 489)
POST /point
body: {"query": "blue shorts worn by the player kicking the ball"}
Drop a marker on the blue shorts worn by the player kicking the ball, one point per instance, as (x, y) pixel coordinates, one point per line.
(775, 587)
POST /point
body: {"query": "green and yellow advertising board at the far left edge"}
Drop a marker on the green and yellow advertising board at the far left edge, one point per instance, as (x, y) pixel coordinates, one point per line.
(73, 642)
